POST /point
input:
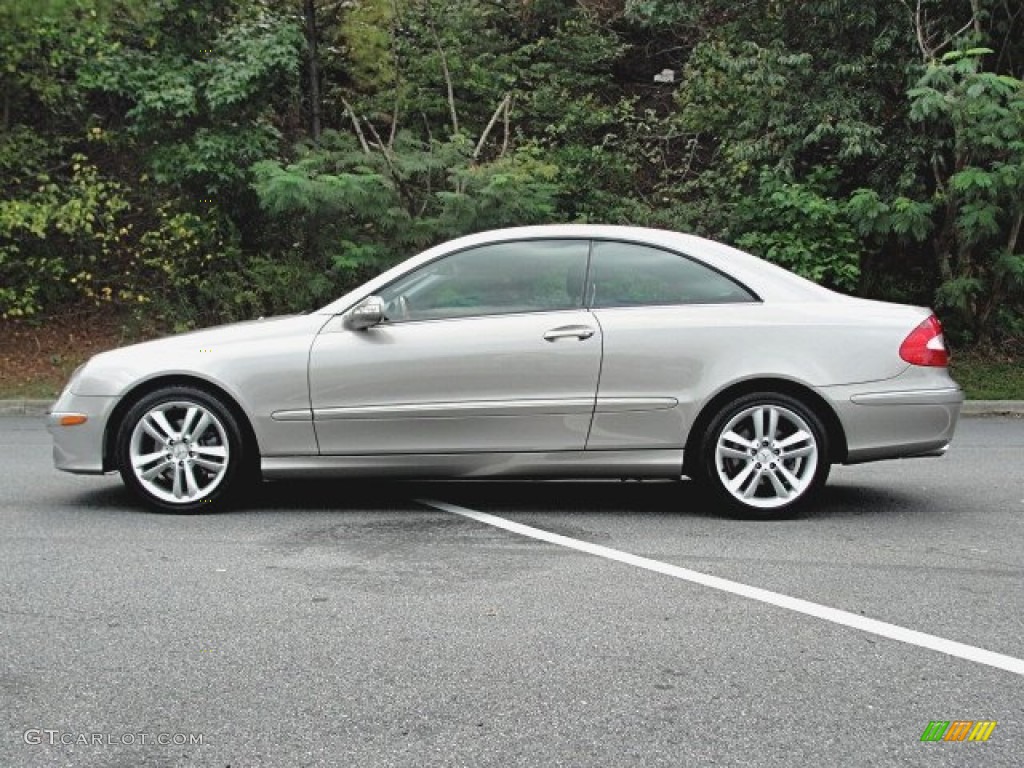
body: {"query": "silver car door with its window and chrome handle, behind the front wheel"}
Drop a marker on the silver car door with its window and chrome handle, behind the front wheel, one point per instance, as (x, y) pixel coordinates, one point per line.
(488, 350)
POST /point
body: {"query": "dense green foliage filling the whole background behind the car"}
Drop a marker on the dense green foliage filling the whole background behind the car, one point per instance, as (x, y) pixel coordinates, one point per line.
(220, 159)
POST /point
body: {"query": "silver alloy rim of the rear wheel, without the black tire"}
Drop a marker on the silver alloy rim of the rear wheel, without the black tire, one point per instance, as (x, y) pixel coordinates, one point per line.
(766, 457)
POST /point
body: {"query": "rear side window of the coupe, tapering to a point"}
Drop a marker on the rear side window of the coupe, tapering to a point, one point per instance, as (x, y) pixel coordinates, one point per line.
(629, 275)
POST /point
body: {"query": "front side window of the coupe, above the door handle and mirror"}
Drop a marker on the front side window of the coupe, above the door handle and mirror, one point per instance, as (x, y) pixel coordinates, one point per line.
(500, 279)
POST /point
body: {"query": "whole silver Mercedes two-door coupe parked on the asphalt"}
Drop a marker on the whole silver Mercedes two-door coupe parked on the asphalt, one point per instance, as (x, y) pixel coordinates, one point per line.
(566, 352)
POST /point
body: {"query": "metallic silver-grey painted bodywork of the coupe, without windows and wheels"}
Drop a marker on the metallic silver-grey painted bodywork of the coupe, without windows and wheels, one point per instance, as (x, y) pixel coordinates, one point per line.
(612, 392)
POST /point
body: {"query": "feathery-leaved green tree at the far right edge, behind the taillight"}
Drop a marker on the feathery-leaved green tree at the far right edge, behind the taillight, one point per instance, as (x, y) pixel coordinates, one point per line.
(976, 122)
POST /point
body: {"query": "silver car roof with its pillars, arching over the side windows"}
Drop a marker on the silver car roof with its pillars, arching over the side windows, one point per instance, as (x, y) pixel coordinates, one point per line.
(769, 281)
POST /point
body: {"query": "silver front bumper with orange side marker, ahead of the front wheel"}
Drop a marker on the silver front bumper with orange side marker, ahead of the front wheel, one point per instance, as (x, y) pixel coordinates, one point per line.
(79, 449)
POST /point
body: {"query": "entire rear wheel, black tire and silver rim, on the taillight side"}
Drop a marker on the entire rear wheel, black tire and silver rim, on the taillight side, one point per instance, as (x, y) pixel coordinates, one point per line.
(775, 477)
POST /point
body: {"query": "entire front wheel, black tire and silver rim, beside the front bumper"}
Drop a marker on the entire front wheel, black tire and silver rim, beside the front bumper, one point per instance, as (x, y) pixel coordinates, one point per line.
(198, 467)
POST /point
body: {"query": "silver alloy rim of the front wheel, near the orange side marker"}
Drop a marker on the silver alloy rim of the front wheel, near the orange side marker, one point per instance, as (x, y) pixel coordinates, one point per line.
(180, 452)
